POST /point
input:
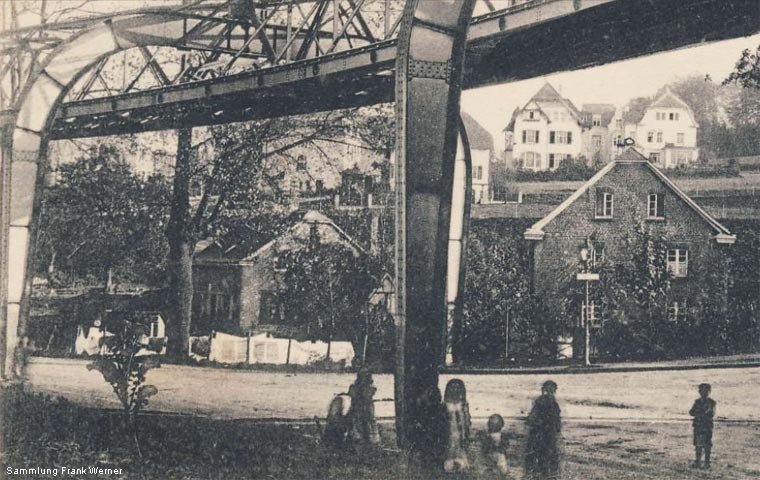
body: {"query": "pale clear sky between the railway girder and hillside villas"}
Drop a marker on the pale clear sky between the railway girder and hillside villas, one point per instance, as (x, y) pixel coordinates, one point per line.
(615, 83)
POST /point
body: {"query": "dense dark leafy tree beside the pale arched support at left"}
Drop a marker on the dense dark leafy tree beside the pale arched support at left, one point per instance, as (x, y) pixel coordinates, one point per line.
(101, 222)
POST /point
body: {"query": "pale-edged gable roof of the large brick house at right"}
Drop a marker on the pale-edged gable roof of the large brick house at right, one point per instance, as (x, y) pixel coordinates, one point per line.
(630, 156)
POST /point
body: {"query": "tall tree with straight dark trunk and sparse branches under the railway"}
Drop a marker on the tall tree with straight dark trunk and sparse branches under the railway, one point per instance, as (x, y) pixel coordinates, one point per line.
(239, 171)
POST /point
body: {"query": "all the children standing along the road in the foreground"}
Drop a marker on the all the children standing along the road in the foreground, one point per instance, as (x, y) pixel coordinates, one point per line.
(542, 443)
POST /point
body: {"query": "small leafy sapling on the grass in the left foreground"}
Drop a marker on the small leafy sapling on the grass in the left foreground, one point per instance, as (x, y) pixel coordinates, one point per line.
(123, 361)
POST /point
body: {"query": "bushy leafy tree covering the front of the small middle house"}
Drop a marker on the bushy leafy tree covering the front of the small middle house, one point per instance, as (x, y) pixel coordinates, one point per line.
(326, 286)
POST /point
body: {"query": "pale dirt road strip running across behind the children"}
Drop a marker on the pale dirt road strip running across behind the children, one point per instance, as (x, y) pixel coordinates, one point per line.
(664, 395)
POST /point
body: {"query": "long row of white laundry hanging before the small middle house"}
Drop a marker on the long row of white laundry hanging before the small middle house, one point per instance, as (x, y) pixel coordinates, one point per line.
(231, 349)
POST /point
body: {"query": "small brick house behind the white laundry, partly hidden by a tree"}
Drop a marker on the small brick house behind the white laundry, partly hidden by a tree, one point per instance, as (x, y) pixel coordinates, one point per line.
(236, 286)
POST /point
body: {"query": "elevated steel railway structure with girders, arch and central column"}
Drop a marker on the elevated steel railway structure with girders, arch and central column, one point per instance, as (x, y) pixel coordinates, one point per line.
(209, 61)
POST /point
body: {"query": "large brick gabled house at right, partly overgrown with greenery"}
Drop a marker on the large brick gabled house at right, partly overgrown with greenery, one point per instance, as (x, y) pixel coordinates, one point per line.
(606, 211)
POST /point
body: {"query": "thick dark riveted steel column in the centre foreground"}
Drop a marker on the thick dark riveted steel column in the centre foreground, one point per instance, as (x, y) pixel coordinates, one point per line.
(428, 86)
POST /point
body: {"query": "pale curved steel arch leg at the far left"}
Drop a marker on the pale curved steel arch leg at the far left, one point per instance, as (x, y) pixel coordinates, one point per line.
(23, 152)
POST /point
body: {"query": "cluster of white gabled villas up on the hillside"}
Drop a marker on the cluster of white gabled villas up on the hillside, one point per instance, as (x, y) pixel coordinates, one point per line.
(550, 129)
